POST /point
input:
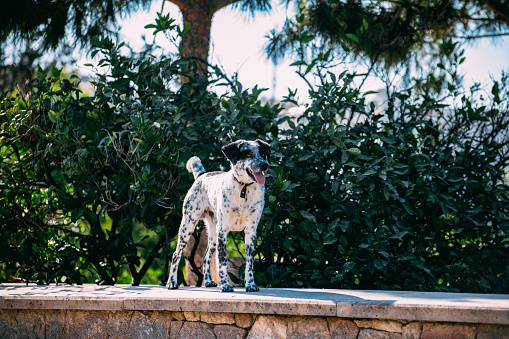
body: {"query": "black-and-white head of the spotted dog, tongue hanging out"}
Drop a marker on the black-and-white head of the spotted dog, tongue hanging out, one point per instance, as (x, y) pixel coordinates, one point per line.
(249, 159)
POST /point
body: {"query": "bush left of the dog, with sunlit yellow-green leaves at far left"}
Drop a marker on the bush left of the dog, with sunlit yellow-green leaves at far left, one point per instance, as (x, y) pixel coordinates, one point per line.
(92, 186)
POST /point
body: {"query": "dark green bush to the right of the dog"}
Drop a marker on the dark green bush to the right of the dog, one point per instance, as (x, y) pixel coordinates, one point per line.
(385, 204)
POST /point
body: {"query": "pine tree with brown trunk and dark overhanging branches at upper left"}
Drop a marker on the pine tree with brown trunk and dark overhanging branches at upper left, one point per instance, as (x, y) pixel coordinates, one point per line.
(34, 28)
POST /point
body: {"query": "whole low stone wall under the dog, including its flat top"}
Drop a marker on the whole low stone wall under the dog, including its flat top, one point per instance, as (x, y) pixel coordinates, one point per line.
(154, 312)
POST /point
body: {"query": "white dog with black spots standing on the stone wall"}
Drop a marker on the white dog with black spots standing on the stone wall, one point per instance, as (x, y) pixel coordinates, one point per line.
(225, 201)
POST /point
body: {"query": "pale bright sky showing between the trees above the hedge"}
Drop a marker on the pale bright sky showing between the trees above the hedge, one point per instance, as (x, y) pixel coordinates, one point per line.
(237, 41)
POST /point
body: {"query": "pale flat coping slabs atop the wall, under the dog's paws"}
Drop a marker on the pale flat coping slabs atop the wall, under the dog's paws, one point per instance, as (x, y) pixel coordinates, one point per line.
(400, 305)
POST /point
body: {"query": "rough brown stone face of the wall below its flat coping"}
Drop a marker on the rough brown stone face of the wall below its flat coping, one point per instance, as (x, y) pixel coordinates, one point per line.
(169, 324)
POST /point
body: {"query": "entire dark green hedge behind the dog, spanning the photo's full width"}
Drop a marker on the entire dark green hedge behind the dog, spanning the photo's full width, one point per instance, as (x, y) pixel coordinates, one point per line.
(91, 187)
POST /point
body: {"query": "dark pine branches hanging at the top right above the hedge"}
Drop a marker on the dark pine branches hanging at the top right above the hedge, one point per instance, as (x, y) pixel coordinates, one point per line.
(390, 34)
